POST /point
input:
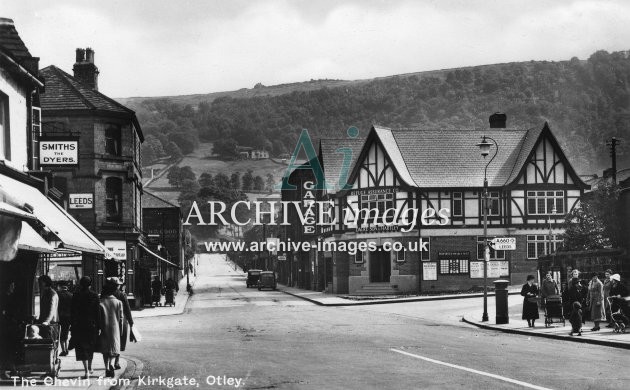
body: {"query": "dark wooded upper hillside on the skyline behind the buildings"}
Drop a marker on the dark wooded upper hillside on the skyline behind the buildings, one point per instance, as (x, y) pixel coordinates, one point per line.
(585, 102)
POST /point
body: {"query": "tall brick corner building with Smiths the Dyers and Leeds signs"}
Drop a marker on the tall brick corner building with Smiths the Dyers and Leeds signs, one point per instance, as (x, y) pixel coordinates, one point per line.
(93, 149)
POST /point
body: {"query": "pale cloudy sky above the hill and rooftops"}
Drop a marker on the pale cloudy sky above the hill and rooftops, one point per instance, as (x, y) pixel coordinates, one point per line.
(168, 47)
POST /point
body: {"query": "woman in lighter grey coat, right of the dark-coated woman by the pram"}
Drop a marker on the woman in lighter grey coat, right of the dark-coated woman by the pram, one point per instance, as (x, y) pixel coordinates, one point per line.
(110, 325)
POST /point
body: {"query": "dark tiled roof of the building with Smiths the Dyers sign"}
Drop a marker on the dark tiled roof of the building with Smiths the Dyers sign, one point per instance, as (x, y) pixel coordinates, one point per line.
(63, 92)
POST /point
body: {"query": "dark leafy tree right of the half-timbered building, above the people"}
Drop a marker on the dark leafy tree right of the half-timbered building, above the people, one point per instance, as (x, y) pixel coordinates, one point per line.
(595, 223)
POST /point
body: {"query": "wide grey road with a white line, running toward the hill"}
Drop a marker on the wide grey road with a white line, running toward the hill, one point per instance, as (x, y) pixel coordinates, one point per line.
(269, 340)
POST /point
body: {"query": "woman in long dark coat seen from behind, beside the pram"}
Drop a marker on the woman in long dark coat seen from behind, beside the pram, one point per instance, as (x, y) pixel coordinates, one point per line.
(84, 324)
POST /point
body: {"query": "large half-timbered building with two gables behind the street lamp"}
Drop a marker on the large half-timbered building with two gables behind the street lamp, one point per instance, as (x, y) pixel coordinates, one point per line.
(440, 173)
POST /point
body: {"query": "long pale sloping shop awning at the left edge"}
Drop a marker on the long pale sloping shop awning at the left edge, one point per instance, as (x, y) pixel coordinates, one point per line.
(54, 217)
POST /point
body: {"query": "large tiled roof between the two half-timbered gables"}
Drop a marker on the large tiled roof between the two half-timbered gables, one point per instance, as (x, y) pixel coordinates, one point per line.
(450, 158)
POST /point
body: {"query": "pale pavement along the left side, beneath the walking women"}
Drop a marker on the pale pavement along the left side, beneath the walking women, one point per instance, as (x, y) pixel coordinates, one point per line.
(72, 370)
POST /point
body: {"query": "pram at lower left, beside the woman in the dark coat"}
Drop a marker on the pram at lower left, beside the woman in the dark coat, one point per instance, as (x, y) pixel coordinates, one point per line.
(40, 355)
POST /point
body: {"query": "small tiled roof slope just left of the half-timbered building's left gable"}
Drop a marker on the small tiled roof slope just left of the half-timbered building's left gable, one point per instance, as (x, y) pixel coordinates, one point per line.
(332, 158)
